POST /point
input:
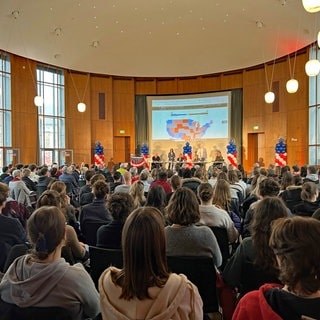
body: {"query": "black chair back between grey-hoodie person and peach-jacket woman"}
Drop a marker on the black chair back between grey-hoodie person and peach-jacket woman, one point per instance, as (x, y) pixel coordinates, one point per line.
(101, 259)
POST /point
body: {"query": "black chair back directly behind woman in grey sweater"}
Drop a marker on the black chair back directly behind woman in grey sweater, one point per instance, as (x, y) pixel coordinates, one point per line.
(202, 273)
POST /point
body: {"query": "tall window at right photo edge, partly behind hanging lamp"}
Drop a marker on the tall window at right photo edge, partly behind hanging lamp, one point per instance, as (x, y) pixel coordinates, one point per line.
(314, 112)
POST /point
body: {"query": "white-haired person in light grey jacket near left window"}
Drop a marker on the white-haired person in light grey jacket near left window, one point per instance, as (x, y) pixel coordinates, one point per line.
(19, 190)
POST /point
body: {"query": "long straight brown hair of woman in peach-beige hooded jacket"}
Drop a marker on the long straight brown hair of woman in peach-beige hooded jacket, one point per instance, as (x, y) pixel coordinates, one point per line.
(144, 254)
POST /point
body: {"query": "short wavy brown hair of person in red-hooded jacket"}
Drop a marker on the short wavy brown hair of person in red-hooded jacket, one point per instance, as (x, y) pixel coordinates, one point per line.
(295, 241)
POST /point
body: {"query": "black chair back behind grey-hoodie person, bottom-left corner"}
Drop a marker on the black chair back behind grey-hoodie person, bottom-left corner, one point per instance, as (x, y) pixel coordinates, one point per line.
(10, 311)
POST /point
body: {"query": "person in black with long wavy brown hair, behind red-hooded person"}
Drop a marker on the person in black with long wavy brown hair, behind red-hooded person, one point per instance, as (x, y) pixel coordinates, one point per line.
(253, 263)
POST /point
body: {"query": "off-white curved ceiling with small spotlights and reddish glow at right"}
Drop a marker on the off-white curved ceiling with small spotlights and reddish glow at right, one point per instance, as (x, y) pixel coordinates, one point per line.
(155, 38)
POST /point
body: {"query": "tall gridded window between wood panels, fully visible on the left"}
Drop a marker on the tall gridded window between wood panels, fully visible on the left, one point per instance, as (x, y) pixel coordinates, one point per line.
(51, 116)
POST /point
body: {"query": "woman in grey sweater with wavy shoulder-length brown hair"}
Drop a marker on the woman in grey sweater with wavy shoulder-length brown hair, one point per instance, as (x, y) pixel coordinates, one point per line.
(184, 237)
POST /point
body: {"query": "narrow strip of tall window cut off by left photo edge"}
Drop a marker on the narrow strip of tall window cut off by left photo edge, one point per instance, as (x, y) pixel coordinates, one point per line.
(5, 109)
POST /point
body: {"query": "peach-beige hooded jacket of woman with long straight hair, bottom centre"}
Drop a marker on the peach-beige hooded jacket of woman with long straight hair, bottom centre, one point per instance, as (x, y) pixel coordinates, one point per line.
(164, 303)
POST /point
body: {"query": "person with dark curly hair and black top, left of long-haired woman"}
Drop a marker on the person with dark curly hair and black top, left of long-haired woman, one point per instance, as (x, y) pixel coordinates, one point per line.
(120, 205)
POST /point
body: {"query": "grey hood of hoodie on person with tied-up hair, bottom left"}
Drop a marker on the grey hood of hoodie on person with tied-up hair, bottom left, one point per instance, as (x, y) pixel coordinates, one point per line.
(26, 283)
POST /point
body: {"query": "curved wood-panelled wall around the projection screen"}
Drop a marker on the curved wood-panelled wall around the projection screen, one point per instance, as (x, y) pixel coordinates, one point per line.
(287, 118)
